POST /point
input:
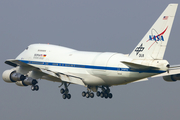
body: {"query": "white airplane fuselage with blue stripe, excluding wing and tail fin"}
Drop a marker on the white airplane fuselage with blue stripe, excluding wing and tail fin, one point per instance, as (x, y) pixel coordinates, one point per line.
(96, 68)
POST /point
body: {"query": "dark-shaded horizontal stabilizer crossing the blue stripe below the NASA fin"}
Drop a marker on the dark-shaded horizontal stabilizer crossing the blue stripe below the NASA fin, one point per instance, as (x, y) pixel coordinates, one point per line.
(136, 66)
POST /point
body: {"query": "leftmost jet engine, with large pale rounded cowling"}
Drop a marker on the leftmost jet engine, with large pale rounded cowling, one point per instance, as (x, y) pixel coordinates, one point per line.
(11, 76)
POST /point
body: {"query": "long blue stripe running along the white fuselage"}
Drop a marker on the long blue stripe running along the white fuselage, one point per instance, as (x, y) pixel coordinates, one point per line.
(89, 66)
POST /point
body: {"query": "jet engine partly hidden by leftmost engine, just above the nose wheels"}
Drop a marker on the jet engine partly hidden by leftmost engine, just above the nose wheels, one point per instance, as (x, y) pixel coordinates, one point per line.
(26, 82)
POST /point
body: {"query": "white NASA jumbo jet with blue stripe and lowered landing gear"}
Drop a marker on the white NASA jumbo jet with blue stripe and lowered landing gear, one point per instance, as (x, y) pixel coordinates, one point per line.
(97, 71)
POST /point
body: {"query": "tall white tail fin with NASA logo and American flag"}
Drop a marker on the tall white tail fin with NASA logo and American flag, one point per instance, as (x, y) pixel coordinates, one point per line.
(153, 44)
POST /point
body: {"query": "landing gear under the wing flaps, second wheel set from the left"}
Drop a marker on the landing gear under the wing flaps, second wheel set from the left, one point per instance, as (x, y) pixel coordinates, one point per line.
(65, 91)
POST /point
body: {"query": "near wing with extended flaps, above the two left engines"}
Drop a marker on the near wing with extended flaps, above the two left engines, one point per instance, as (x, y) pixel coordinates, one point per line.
(49, 74)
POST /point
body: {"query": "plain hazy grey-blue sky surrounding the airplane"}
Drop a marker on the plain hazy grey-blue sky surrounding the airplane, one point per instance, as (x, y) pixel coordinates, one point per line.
(89, 25)
